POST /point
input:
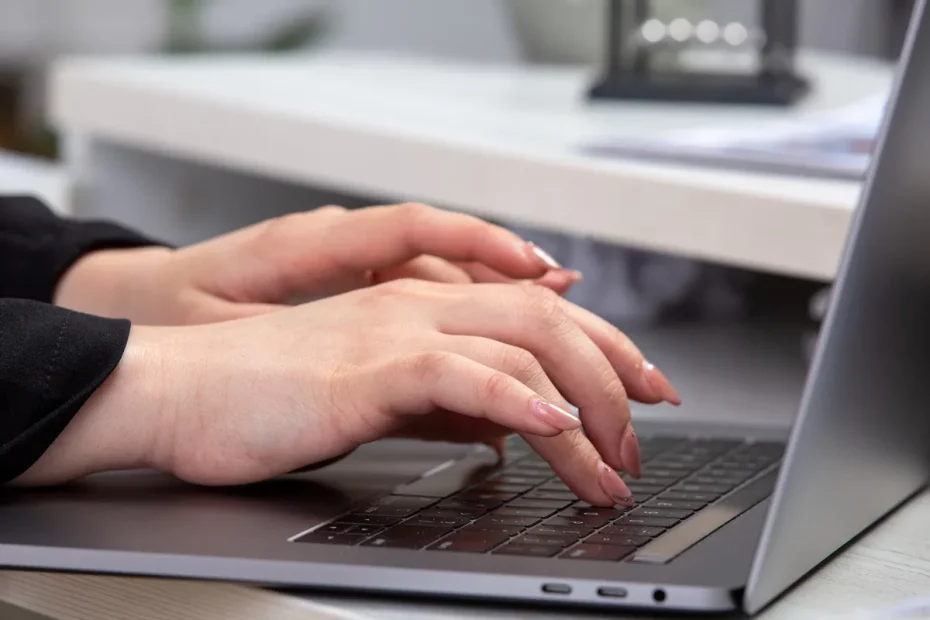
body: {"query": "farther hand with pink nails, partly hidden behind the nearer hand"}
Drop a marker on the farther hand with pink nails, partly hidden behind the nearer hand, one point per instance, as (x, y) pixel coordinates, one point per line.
(300, 257)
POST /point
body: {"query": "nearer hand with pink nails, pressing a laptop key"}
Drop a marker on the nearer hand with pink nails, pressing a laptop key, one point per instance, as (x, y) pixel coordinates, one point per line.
(246, 400)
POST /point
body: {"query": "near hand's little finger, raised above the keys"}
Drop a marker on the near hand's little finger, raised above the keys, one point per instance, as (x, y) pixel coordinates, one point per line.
(443, 380)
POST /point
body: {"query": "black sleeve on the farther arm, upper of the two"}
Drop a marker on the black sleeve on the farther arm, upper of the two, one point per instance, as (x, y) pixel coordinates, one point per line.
(37, 247)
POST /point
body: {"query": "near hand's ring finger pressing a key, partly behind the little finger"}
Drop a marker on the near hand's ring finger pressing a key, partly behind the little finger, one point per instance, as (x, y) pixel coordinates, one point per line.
(571, 455)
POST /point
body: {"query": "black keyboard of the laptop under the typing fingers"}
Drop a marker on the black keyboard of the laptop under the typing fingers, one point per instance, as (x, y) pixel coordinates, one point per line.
(689, 488)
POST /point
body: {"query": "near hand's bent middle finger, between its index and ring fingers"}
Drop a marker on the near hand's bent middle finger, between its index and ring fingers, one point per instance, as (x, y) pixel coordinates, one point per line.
(534, 318)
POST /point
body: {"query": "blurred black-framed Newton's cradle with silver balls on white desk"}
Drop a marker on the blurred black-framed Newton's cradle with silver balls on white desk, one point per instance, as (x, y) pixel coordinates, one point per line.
(637, 44)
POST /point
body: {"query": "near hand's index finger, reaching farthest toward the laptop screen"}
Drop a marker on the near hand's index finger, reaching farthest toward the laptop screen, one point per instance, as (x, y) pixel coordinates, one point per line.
(643, 380)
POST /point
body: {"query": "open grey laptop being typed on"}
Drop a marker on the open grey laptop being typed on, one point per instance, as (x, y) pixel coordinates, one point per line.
(724, 520)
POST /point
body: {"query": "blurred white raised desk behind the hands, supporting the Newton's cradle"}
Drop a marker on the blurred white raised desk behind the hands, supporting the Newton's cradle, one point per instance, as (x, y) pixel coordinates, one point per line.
(496, 140)
